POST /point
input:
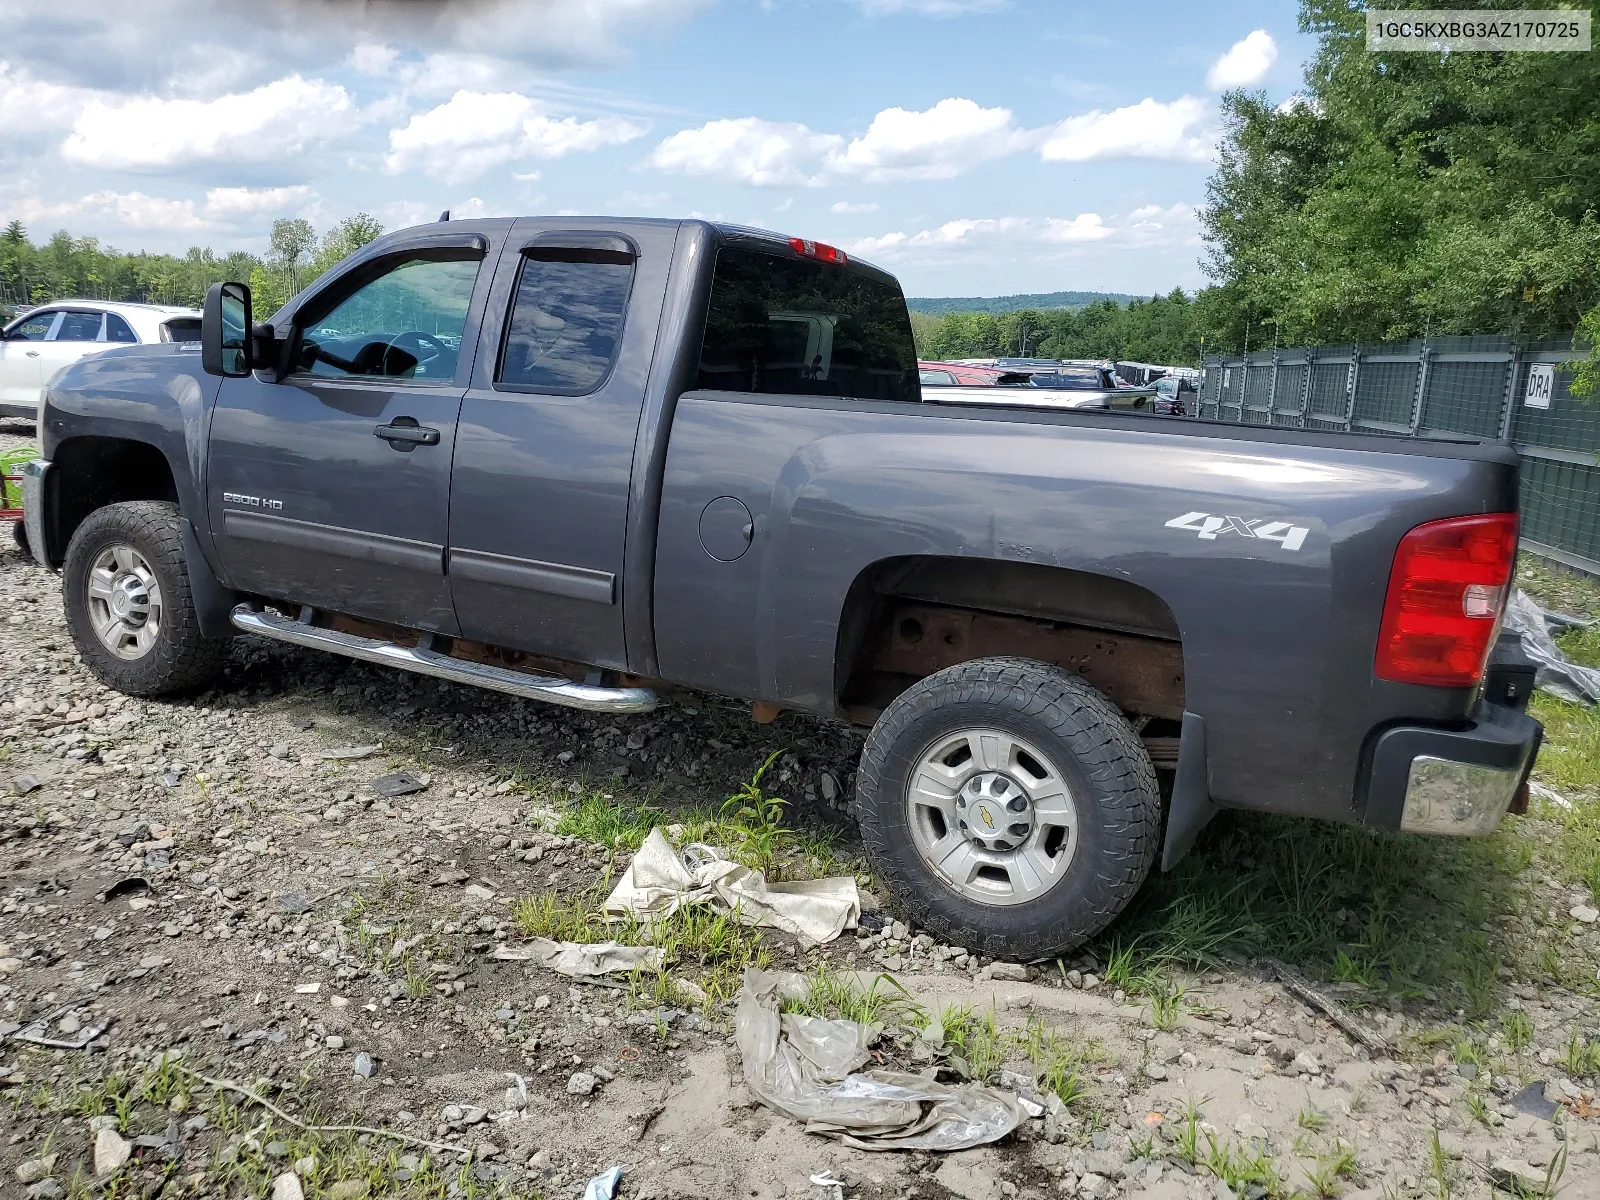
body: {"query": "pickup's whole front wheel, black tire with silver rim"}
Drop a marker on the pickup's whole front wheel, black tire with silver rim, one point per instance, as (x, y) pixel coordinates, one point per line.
(129, 604)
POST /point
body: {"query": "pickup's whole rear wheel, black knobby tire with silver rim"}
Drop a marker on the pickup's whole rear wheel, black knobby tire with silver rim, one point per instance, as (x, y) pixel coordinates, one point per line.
(1009, 807)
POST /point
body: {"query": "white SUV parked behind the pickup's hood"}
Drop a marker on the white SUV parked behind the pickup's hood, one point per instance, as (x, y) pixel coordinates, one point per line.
(41, 343)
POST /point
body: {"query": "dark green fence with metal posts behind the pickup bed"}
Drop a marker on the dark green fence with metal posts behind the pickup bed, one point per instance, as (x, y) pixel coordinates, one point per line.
(1482, 386)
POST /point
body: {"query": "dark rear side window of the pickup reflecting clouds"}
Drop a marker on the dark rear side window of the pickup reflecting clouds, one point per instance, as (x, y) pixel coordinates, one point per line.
(567, 321)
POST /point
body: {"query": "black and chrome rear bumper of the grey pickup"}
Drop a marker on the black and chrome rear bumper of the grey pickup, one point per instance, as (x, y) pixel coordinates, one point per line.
(1452, 782)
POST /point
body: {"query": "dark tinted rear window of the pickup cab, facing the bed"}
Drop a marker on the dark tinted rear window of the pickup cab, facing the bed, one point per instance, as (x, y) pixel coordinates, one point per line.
(786, 326)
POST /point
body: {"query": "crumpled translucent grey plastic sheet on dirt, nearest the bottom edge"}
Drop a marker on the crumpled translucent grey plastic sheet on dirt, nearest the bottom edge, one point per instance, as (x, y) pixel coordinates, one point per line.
(807, 1068)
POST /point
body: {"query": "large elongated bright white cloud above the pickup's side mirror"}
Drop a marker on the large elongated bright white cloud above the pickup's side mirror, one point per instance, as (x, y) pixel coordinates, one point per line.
(271, 124)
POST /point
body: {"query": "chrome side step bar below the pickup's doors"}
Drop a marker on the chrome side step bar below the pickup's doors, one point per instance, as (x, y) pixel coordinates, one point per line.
(425, 662)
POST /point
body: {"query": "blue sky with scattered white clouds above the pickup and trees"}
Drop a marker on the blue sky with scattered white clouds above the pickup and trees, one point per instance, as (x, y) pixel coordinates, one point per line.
(970, 146)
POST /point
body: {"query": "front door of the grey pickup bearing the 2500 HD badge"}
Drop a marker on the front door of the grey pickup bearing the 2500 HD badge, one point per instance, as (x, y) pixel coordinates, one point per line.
(332, 489)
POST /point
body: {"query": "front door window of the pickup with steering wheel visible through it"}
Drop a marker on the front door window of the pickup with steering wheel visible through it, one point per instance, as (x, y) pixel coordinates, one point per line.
(407, 324)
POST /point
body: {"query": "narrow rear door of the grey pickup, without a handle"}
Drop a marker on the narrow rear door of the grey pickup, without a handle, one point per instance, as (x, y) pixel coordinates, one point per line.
(540, 495)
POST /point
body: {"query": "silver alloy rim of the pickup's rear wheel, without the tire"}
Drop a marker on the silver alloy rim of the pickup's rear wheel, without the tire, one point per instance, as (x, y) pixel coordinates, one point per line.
(993, 817)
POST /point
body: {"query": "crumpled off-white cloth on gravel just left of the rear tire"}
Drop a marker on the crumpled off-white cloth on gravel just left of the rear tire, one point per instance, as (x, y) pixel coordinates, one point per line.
(660, 881)
